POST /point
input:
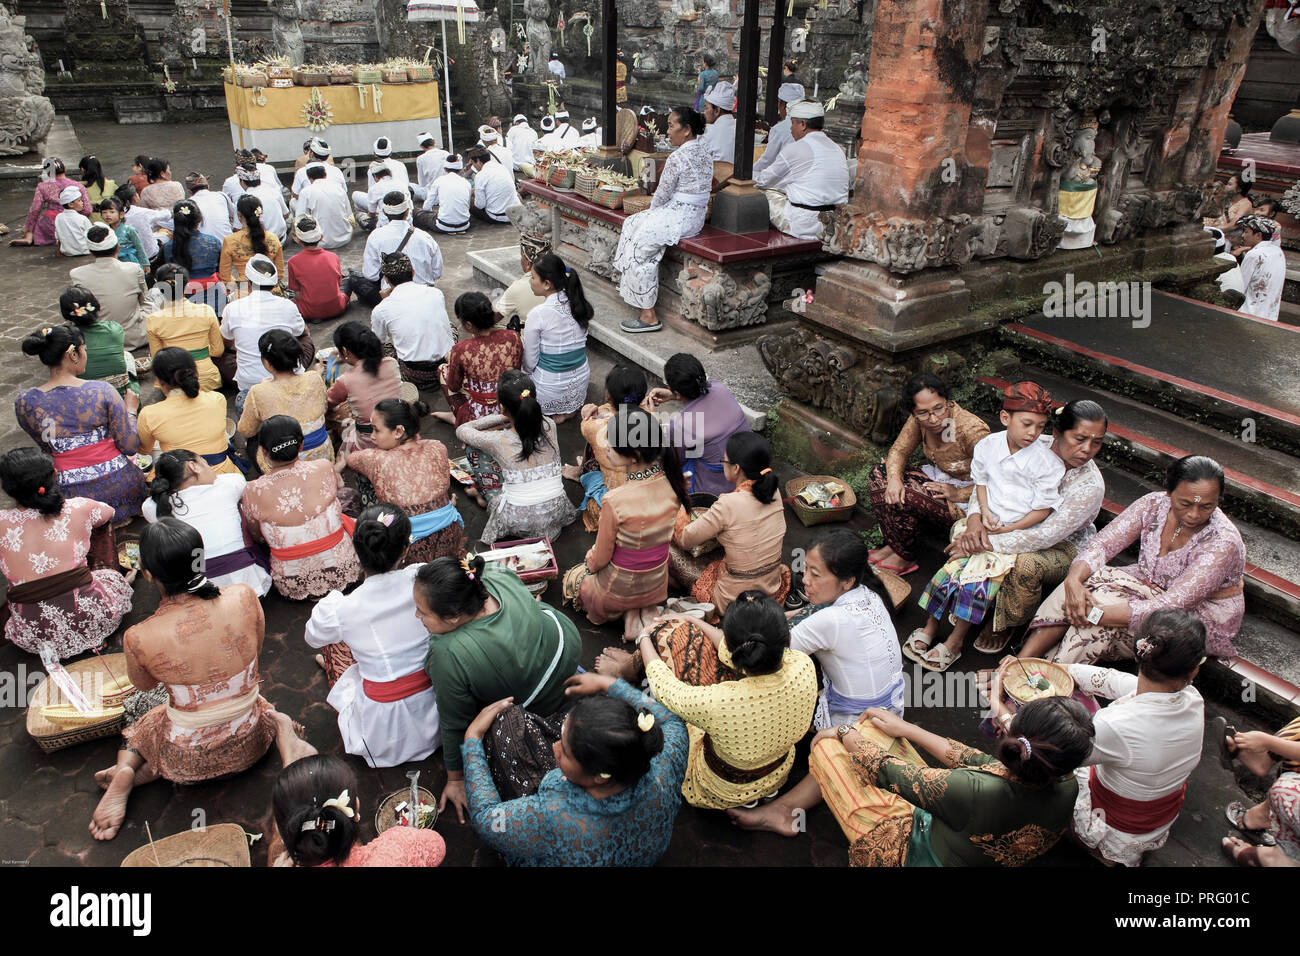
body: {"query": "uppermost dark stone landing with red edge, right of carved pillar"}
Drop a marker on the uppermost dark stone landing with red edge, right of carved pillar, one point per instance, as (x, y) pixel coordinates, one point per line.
(1230, 370)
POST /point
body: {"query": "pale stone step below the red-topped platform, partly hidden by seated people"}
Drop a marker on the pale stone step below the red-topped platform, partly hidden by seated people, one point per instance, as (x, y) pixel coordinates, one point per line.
(742, 367)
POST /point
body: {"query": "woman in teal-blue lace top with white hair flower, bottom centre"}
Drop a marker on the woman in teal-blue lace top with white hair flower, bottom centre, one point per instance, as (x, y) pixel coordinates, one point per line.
(612, 795)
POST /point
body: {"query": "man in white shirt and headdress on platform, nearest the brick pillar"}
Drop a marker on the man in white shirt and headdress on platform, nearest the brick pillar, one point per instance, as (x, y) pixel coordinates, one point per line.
(811, 176)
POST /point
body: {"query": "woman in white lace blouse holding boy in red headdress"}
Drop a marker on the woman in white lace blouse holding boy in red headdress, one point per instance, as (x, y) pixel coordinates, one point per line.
(1046, 551)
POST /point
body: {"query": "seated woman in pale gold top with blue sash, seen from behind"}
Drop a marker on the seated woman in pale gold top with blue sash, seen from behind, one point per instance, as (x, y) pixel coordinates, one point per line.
(300, 396)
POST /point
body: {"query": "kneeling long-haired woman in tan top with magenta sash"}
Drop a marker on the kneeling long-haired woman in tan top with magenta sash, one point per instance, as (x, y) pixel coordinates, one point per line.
(626, 573)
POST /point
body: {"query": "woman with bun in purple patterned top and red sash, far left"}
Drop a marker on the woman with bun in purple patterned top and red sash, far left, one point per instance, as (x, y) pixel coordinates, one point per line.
(85, 426)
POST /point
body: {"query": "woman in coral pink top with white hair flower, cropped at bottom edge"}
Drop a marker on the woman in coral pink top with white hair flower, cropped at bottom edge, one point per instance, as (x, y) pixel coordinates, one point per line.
(318, 817)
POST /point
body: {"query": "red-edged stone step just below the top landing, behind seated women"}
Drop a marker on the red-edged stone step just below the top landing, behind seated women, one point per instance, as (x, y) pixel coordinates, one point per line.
(1263, 485)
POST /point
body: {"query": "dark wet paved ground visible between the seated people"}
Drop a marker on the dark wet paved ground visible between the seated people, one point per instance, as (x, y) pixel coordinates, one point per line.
(46, 801)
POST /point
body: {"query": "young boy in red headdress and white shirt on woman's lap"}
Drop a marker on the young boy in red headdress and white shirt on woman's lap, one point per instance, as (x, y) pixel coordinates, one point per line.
(1017, 486)
